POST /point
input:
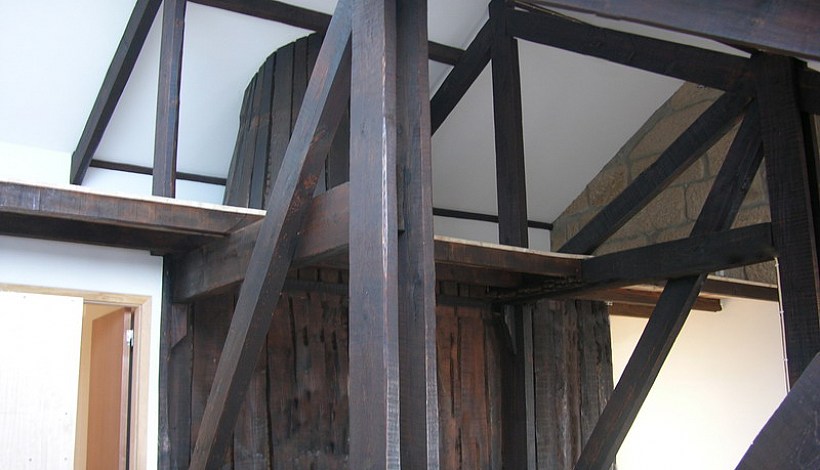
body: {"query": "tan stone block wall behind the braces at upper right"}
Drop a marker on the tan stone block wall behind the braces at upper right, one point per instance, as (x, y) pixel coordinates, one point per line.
(672, 213)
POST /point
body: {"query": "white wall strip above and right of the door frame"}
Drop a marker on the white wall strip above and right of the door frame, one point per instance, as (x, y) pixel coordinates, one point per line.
(84, 267)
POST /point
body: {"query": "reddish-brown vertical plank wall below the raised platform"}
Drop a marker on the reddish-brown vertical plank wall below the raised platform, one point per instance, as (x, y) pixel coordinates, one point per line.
(295, 415)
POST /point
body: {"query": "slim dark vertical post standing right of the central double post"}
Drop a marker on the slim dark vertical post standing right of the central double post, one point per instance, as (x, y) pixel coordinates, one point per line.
(518, 421)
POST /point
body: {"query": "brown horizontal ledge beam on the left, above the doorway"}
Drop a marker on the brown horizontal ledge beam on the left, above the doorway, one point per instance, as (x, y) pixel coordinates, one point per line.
(80, 215)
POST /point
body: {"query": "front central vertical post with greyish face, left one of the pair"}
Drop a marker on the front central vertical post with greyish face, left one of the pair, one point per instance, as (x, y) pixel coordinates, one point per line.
(374, 332)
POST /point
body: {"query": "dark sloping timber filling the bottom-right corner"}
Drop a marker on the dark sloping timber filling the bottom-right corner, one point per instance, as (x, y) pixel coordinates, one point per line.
(789, 439)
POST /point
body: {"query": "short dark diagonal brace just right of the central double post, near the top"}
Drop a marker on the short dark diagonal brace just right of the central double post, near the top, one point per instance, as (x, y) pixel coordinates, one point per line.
(459, 80)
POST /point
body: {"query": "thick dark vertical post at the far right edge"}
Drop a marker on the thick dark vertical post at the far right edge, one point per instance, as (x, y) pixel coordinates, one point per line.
(790, 198)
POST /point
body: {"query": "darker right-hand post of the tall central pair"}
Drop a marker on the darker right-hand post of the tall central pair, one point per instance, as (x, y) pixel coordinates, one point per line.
(419, 425)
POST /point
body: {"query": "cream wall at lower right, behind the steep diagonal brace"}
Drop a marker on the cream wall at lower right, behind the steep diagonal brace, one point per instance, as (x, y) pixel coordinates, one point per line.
(723, 379)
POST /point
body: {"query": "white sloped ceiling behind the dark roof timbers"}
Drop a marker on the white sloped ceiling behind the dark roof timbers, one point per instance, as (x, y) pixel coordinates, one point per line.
(578, 111)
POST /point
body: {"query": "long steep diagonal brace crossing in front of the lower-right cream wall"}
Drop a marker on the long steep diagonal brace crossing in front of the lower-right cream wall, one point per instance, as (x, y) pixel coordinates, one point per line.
(677, 299)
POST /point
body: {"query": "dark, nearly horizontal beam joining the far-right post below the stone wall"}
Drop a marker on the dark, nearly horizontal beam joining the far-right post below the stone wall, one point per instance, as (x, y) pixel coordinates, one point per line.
(679, 258)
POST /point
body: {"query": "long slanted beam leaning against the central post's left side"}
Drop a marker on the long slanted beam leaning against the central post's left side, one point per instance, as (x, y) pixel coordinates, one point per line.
(325, 100)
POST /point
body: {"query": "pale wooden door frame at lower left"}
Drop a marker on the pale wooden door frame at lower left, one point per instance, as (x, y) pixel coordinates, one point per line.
(140, 366)
